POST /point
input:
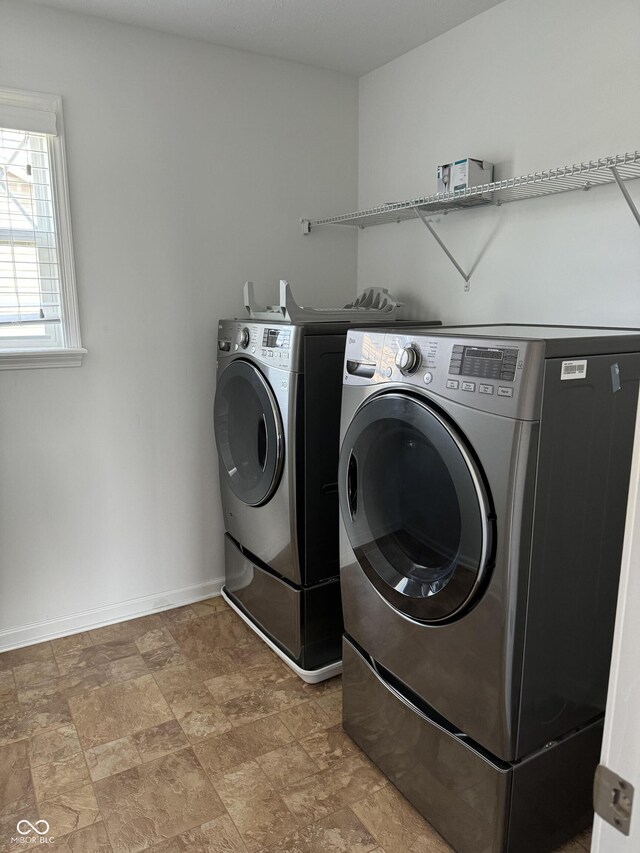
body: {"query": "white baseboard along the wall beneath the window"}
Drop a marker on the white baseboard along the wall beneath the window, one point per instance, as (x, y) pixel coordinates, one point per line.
(63, 626)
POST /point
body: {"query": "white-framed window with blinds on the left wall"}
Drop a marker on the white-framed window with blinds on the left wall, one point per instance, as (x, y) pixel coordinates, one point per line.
(38, 306)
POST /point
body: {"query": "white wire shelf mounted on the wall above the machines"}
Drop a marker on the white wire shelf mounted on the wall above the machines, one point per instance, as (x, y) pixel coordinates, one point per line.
(581, 176)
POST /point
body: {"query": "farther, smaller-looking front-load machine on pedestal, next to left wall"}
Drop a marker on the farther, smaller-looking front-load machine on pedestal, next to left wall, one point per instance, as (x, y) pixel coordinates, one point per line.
(277, 422)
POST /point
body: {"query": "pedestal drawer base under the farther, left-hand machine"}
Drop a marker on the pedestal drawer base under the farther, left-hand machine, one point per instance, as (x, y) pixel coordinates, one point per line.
(306, 622)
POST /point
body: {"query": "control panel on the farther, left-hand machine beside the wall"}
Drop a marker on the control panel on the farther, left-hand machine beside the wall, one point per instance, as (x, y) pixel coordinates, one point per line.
(275, 344)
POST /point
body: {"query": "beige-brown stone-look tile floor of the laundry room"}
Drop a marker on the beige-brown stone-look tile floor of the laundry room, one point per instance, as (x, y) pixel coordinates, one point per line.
(182, 731)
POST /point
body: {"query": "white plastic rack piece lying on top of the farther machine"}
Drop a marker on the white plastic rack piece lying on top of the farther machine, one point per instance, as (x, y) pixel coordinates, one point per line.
(372, 303)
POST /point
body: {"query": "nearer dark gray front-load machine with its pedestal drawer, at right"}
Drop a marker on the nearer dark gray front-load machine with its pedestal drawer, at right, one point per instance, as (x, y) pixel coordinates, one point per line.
(483, 487)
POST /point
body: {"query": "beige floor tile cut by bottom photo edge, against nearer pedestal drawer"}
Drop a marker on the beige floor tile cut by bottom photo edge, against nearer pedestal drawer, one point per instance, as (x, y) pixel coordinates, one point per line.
(397, 825)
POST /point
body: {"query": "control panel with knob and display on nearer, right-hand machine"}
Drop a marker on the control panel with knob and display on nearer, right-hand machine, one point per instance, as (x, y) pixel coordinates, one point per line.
(492, 375)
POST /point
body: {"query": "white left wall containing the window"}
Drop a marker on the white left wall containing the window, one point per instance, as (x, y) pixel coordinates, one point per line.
(189, 167)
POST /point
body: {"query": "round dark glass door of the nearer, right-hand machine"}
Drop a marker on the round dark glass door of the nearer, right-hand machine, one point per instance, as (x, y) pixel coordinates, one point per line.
(415, 508)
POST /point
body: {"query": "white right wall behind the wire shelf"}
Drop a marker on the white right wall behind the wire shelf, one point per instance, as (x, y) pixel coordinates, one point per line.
(528, 85)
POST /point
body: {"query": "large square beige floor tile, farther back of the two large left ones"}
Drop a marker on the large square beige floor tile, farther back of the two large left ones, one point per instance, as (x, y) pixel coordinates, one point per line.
(112, 712)
